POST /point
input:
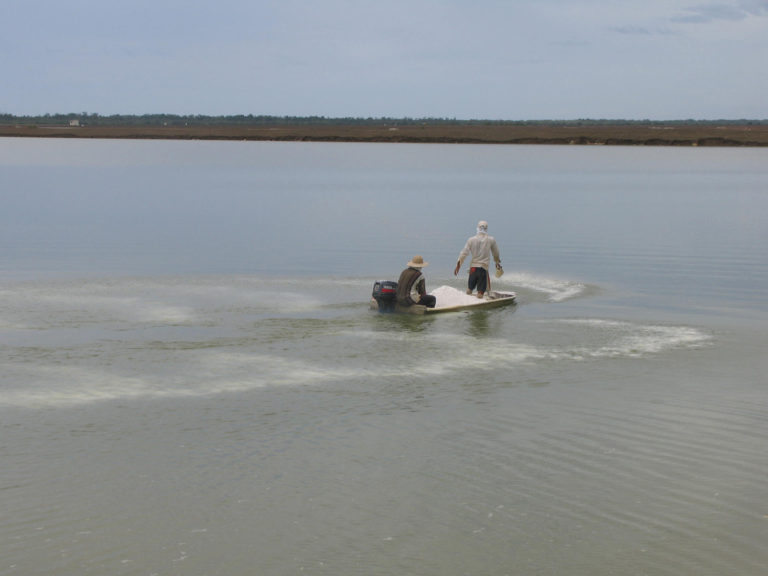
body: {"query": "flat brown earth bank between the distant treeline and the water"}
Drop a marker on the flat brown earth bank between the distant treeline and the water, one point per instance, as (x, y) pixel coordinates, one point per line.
(730, 135)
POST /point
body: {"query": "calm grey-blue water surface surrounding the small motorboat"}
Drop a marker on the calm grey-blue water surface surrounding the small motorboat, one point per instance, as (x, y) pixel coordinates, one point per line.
(191, 381)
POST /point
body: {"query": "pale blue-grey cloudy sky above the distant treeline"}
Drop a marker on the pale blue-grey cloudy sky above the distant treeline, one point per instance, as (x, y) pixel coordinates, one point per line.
(463, 59)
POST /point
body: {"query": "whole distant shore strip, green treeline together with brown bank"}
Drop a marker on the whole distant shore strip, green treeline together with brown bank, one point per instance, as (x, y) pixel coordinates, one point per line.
(411, 130)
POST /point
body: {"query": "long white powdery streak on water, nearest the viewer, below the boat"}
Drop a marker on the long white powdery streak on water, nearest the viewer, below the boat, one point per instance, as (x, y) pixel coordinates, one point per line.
(202, 373)
